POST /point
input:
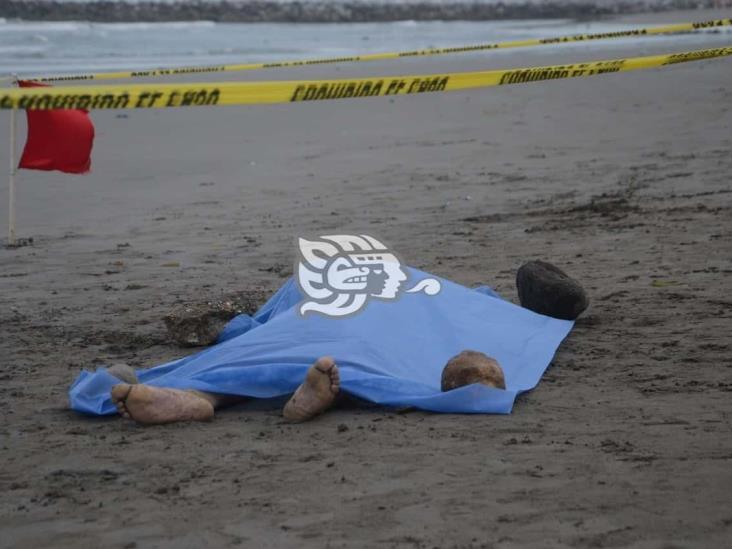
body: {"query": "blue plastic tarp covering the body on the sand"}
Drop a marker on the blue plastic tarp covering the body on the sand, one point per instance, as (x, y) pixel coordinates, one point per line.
(391, 353)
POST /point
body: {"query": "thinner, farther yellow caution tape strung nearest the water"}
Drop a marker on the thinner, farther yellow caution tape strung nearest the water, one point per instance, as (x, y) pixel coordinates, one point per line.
(666, 29)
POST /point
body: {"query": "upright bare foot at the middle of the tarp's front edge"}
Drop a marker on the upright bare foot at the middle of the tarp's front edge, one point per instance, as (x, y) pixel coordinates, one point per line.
(317, 392)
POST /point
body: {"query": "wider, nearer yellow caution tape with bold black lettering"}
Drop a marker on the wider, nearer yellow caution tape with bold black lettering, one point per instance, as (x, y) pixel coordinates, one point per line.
(146, 96)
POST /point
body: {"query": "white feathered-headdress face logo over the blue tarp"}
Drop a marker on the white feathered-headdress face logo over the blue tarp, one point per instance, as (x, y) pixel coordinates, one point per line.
(339, 274)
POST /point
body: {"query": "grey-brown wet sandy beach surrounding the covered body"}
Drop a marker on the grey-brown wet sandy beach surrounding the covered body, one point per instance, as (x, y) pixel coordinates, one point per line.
(622, 180)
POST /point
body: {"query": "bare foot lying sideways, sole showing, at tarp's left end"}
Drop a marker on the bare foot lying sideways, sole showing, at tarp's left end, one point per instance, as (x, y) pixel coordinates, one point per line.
(154, 405)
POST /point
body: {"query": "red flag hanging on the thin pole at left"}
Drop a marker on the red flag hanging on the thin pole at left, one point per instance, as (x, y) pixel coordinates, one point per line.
(59, 139)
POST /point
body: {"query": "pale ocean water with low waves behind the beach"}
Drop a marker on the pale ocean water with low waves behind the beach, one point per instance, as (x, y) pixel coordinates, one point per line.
(69, 47)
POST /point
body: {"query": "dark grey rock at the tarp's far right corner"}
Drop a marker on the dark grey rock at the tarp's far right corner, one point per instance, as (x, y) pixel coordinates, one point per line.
(547, 290)
